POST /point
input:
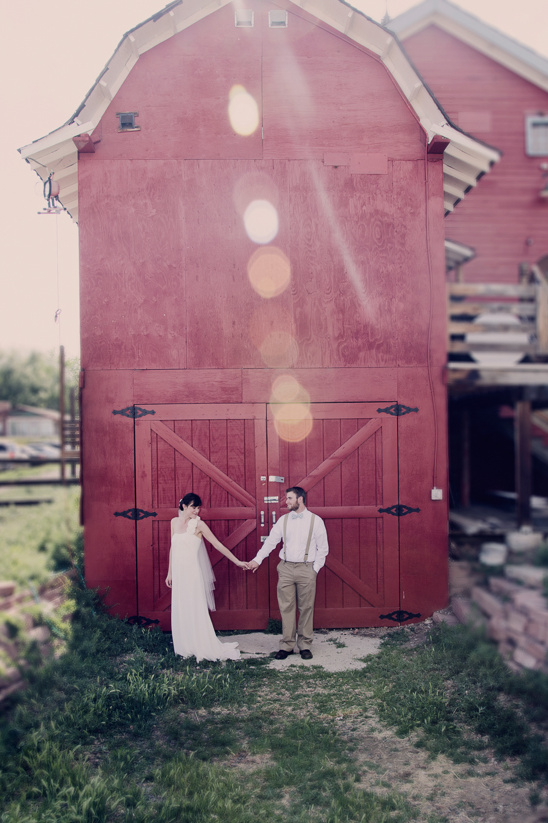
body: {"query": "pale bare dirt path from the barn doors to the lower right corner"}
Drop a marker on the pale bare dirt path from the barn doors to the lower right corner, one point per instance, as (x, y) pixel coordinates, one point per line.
(487, 792)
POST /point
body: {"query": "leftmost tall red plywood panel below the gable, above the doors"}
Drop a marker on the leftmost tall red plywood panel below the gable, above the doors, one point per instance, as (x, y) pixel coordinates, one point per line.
(132, 289)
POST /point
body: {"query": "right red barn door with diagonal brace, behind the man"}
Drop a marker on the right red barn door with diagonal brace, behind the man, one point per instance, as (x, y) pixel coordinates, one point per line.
(348, 465)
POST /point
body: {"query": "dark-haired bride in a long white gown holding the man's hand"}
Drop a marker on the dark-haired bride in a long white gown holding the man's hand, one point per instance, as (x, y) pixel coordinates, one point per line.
(192, 581)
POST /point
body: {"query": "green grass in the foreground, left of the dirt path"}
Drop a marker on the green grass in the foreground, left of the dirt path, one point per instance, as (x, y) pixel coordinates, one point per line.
(120, 728)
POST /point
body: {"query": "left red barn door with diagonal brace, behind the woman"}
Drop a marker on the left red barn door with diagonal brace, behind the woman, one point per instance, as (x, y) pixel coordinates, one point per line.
(216, 452)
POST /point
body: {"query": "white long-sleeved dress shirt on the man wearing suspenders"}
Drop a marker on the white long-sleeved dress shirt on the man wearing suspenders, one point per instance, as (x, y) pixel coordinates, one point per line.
(296, 539)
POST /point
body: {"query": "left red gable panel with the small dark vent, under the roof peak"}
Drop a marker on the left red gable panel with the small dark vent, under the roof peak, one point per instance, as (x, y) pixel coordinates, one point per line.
(182, 93)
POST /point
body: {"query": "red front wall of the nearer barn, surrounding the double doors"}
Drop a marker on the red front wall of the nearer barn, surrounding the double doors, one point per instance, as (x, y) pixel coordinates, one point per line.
(172, 307)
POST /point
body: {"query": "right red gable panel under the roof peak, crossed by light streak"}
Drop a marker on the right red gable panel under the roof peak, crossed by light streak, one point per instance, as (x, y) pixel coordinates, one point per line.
(321, 94)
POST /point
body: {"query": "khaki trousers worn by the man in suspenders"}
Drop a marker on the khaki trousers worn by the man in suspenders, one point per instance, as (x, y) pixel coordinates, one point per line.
(296, 589)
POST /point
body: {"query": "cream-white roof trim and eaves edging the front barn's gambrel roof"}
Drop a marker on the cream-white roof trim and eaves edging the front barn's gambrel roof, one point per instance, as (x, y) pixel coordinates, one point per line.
(465, 159)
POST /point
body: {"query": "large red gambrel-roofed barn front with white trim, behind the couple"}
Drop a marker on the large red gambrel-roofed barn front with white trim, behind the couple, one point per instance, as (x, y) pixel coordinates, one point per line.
(260, 194)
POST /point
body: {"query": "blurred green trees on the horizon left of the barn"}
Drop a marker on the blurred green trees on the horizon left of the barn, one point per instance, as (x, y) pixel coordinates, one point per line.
(33, 379)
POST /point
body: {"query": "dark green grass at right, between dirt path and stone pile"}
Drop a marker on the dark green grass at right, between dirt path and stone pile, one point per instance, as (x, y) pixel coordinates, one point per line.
(456, 693)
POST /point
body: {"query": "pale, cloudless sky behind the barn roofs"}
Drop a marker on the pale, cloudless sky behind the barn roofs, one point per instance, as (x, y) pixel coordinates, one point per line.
(51, 52)
